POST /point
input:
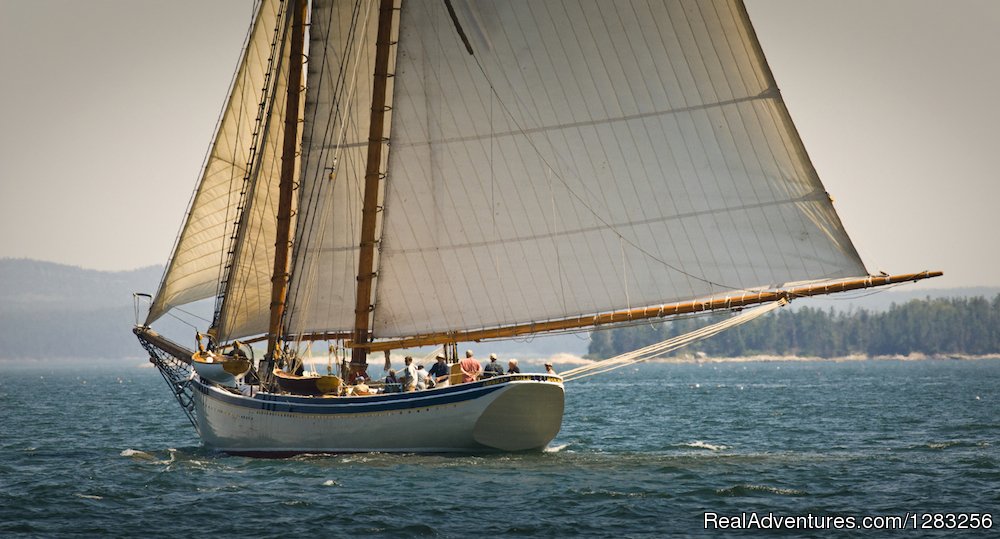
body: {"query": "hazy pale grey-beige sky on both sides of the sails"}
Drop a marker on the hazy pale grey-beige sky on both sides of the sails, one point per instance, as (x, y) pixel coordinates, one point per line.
(107, 108)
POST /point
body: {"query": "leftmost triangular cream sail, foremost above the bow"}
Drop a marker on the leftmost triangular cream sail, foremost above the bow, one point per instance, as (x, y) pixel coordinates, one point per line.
(200, 255)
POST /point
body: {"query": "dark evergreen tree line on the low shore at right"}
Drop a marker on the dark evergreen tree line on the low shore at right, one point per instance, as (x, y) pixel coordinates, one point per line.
(961, 326)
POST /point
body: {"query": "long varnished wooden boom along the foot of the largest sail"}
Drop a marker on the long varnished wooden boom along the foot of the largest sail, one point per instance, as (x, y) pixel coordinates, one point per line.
(657, 311)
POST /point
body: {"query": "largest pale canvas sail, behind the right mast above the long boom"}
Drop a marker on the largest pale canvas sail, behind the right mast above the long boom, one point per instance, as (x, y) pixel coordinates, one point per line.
(588, 157)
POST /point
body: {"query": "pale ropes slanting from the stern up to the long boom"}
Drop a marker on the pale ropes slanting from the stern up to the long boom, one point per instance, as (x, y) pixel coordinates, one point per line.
(669, 345)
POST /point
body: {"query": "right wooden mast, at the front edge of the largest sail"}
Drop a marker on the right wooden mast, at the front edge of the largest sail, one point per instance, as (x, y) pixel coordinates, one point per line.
(369, 211)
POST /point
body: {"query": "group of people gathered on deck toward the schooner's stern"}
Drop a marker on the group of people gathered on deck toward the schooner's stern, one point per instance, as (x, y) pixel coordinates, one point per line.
(414, 378)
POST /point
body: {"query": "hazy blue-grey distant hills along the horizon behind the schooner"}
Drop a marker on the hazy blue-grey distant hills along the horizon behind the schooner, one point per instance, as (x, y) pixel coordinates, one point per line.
(50, 310)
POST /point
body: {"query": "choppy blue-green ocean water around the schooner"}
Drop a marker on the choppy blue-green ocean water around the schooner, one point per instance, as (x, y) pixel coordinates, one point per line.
(102, 450)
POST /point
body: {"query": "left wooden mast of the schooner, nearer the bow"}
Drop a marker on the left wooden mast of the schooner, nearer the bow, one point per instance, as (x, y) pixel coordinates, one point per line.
(289, 153)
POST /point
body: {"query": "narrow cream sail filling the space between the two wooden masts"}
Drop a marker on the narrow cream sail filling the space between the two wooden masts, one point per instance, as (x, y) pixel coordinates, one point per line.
(334, 148)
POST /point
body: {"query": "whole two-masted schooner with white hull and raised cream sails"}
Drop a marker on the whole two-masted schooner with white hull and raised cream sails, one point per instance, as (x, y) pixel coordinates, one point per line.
(390, 174)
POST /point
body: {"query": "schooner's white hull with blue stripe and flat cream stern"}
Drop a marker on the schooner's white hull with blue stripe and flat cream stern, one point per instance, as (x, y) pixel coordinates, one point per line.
(509, 413)
